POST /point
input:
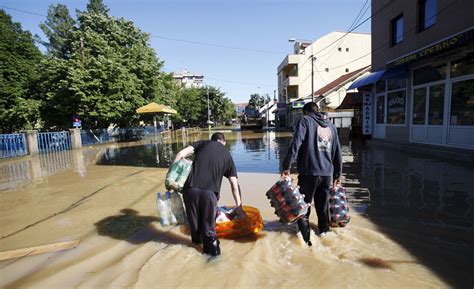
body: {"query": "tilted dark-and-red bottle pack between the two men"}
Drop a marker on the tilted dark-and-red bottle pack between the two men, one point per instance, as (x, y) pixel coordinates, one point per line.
(287, 200)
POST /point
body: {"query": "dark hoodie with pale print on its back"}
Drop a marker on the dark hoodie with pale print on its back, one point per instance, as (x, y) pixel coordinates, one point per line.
(316, 147)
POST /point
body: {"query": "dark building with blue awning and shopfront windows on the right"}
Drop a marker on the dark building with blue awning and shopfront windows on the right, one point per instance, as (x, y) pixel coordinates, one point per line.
(422, 82)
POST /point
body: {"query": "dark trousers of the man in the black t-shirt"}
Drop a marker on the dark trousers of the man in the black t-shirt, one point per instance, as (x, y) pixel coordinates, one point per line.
(201, 208)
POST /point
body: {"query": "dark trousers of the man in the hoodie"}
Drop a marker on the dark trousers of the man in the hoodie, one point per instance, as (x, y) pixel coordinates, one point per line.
(317, 188)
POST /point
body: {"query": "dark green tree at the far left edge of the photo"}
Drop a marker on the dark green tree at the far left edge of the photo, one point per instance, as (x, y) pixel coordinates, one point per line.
(19, 59)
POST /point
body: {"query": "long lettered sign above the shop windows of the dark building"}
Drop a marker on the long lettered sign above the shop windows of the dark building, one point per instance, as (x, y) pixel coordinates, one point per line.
(435, 49)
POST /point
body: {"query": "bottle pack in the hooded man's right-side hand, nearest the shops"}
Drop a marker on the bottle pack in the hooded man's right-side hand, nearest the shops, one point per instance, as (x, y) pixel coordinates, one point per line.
(338, 207)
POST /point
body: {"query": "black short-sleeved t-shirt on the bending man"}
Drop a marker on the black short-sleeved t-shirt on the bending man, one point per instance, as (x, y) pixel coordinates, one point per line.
(212, 161)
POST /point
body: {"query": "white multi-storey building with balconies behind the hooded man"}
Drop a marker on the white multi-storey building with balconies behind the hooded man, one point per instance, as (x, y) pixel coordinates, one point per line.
(330, 61)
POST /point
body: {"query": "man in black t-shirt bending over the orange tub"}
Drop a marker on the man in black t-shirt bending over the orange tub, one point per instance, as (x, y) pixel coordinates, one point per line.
(212, 161)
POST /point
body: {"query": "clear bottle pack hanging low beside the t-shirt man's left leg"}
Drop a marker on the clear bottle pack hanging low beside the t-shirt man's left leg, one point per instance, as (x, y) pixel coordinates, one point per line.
(170, 209)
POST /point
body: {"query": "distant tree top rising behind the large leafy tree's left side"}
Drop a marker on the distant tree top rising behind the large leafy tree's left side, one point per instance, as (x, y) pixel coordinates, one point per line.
(59, 27)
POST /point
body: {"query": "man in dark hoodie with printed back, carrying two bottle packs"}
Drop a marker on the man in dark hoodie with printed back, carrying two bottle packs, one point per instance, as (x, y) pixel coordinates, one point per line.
(317, 150)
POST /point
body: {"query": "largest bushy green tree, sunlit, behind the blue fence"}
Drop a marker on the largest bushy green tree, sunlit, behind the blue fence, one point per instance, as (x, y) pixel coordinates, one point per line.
(112, 70)
